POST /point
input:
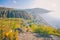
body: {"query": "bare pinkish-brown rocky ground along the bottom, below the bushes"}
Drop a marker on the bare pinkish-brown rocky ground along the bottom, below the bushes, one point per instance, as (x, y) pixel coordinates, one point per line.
(34, 36)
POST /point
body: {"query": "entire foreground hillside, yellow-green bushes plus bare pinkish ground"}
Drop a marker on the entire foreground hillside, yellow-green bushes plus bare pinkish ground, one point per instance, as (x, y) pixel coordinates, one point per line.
(15, 28)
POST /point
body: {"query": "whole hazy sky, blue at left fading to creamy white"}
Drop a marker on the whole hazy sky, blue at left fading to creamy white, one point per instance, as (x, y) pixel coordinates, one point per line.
(53, 5)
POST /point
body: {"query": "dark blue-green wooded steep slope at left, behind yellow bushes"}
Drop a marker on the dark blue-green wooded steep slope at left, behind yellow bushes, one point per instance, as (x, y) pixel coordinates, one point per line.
(13, 13)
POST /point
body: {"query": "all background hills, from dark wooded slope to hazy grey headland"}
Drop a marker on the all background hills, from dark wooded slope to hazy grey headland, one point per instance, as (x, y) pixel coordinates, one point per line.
(24, 13)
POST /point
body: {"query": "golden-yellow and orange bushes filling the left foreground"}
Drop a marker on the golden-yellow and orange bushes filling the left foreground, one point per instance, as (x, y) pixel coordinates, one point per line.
(7, 27)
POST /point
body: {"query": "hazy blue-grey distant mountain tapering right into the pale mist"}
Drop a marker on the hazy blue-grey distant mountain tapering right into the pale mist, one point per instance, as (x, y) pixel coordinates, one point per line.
(37, 10)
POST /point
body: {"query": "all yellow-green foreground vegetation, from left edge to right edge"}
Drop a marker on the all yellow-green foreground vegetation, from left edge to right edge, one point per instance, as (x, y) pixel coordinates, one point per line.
(8, 26)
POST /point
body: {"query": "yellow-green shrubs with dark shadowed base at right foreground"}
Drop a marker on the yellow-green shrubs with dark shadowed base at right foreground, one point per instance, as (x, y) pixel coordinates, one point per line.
(45, 30)
